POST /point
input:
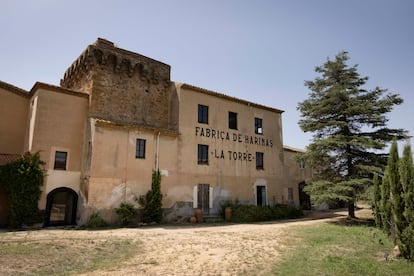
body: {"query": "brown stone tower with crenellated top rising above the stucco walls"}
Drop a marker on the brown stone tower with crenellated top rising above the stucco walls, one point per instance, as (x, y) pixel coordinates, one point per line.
(124, 87)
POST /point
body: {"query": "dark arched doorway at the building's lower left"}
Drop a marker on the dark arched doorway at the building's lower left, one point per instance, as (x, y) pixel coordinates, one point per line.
(61, 207)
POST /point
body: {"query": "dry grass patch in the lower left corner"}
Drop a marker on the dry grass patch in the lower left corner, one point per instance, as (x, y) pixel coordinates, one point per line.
(24, 254)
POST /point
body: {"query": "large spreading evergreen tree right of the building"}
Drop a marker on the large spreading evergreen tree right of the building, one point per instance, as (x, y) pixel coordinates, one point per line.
(349, 127)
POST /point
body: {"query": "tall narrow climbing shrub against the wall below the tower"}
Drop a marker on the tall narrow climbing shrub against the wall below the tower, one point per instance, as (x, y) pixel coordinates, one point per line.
(152, 201)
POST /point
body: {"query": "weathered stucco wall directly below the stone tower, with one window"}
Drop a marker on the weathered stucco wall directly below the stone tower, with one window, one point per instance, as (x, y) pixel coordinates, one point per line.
(116, 175)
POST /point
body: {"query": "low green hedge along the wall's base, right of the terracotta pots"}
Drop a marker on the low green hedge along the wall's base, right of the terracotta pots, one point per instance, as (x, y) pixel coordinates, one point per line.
(254, 213)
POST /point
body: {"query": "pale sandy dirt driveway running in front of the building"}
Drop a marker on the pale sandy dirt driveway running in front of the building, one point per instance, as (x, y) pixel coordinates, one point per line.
(195, 250)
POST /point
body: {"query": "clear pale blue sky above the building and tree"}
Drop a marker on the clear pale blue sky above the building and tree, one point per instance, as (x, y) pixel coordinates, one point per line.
(261, 51)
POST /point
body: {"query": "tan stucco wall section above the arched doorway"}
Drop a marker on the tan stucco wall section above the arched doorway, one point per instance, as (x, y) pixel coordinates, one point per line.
(57, 124)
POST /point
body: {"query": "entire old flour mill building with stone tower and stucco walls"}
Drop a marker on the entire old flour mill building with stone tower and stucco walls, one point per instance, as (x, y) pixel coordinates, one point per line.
(117, 116)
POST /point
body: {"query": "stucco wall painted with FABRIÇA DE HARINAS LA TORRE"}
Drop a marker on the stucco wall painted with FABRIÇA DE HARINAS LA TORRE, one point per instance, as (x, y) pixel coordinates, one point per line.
(231, 170)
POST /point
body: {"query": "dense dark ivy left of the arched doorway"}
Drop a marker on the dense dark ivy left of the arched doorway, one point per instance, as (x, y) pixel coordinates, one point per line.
(22, 180)
